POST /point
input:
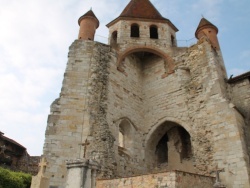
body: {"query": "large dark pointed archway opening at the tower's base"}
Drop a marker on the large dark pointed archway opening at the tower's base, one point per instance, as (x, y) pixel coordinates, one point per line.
(169, 148)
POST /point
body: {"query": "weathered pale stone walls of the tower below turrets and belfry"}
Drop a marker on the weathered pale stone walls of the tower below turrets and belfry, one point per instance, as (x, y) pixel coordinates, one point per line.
(96, 98)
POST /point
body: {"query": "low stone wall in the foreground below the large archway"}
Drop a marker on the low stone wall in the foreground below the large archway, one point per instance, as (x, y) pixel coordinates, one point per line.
(174, 179)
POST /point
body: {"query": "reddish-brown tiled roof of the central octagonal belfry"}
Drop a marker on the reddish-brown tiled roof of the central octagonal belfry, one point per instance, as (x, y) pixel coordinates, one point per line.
(142, 9)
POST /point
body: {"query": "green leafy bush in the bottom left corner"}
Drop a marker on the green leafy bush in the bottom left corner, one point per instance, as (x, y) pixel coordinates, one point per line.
(10, 179)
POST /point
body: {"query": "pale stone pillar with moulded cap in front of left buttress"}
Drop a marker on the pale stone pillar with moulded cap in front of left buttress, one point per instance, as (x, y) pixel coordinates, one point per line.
(81, 173)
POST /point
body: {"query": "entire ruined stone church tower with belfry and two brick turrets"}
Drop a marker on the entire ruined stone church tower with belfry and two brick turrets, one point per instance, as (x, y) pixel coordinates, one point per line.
(145, 105)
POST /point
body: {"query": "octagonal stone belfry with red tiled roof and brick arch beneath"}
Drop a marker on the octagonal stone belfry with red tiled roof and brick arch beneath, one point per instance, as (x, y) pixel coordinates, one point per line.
(140, 27)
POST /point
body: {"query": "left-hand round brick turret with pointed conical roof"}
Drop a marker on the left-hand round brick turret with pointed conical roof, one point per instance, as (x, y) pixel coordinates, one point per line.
(88, 24)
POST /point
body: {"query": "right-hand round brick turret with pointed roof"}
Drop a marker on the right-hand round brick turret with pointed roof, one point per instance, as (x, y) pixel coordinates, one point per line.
(207, 29)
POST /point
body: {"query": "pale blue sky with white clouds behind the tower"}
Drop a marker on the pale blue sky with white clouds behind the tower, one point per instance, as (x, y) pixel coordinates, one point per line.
(35, 36)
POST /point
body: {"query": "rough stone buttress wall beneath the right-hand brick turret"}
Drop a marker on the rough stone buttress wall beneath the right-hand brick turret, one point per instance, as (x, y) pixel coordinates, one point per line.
(219, 139)
